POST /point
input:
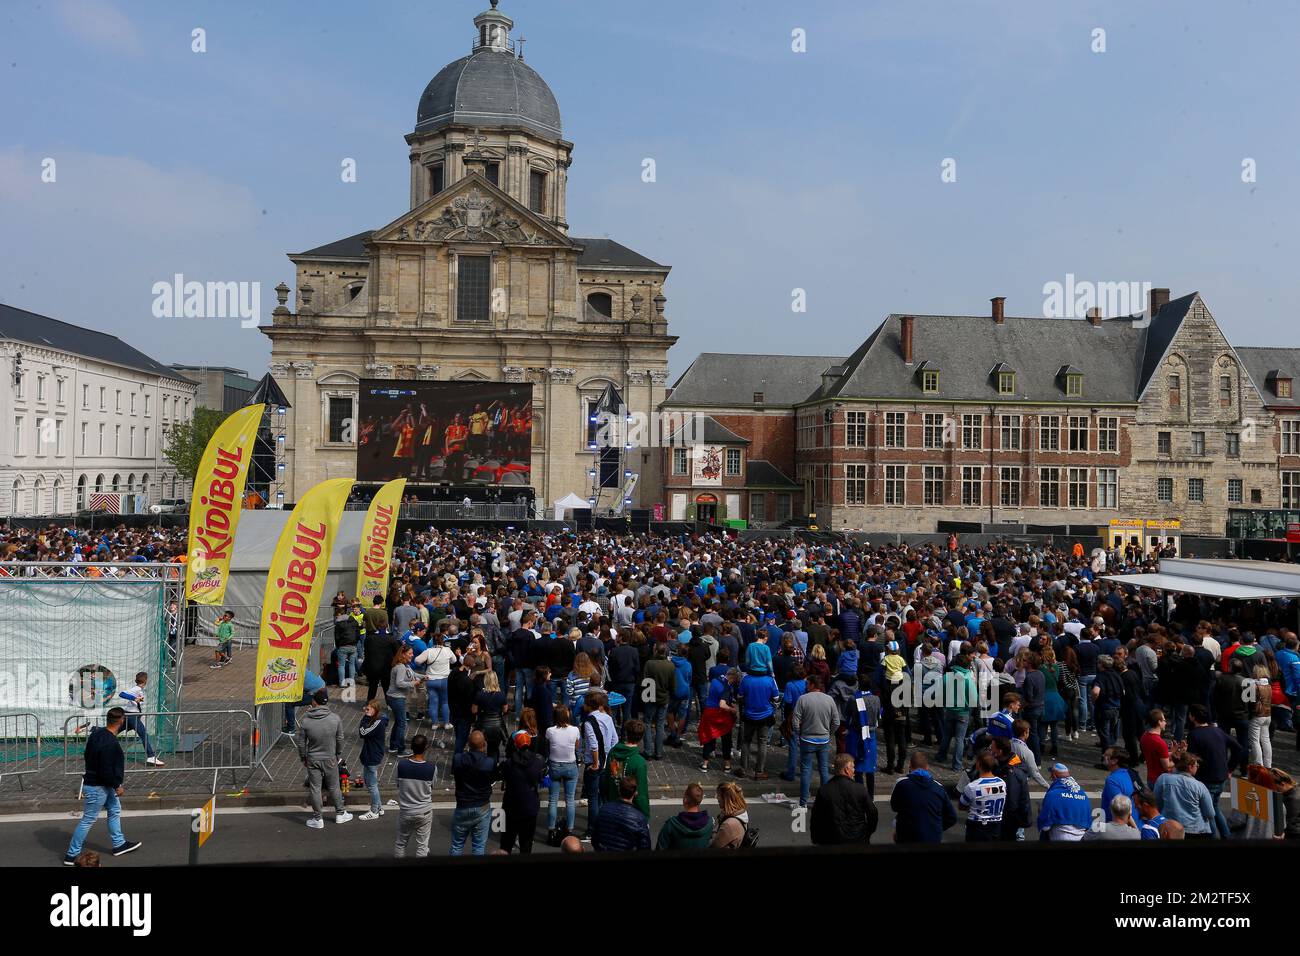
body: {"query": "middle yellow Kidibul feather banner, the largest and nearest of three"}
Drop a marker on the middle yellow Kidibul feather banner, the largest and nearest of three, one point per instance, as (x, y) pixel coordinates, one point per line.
(294, 587)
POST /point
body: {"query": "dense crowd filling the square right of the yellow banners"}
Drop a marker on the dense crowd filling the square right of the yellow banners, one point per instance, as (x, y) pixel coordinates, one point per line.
(562, 664)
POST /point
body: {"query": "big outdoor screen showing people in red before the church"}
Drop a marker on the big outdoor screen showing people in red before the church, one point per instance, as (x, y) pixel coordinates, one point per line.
(445, 431)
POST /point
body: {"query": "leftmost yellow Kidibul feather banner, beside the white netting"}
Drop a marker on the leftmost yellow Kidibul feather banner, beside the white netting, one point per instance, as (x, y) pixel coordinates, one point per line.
(218, 500)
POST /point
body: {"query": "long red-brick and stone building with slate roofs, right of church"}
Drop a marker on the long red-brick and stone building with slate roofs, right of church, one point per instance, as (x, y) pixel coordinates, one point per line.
(1149, 426)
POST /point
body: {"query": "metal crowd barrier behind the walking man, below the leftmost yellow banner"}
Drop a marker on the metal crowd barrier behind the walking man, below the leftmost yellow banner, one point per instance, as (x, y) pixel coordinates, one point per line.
(187, 742)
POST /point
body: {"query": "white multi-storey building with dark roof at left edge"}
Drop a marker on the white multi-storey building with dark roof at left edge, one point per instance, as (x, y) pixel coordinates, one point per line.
(83, 412)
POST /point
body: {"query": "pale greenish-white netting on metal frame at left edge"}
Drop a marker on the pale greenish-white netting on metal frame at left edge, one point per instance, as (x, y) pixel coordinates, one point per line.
(67, 647)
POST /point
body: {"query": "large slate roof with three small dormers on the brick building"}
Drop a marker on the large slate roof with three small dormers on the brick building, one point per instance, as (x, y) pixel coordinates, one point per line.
(967, 349)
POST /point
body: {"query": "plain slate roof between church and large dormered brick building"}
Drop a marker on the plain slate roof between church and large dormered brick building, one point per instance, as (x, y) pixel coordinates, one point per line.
(730, 380)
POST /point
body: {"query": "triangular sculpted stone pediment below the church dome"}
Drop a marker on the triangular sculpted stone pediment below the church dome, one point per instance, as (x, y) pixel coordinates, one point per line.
(473, 211)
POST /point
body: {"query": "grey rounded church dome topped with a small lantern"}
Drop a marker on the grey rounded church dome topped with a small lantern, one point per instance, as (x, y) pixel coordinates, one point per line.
(493, 86)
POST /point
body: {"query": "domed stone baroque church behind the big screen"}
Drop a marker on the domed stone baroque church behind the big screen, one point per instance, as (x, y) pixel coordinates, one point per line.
(478, 282)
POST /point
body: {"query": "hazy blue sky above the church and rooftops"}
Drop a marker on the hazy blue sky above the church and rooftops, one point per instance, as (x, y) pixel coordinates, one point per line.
(777, 171)
